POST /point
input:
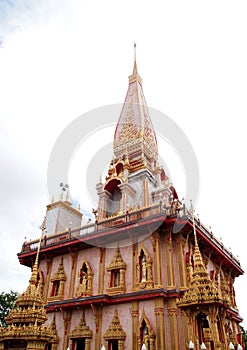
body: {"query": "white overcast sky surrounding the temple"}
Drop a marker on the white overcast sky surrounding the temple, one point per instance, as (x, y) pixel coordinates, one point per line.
(62, 58)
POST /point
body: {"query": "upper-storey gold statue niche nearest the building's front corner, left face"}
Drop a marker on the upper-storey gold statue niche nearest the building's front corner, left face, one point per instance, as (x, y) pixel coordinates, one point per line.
(144, 273)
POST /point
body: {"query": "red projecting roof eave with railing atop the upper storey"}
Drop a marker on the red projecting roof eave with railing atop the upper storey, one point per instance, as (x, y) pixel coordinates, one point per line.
(124, 229)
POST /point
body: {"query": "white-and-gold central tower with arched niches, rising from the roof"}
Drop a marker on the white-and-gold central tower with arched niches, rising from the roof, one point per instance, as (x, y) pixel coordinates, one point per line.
(134, 180)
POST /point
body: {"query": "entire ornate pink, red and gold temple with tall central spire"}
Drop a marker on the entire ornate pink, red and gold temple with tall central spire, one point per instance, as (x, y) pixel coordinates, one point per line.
(127, 280)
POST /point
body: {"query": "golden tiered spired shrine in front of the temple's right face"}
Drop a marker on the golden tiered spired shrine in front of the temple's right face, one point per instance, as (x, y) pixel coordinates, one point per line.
(203, 304)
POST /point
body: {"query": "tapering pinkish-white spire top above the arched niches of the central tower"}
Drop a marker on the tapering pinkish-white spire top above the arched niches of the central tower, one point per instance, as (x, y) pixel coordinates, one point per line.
(134, 130)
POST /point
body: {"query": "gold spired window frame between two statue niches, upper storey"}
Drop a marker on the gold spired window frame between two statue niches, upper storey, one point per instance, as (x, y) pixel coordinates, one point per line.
(116, 274)
